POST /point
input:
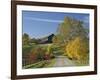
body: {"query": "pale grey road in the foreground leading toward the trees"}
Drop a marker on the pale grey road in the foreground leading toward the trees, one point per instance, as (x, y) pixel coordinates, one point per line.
(63, 61)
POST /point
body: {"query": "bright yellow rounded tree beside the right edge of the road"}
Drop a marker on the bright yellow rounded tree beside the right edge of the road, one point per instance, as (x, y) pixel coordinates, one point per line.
(77, 48)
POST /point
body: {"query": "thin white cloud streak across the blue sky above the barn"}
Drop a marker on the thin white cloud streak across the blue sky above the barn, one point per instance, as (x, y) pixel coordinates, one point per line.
(44, 20)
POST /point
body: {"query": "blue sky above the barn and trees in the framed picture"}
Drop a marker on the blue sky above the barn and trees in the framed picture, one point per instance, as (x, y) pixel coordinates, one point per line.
(39, 24)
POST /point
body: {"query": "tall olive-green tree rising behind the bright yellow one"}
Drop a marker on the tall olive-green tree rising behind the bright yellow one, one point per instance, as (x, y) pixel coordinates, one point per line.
(68, 30)
